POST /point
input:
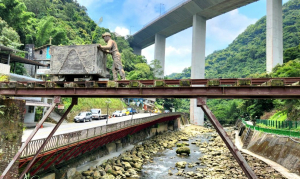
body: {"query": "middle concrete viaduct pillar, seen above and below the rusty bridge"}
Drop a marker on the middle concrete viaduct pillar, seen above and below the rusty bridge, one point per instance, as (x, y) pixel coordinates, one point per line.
(198, 64)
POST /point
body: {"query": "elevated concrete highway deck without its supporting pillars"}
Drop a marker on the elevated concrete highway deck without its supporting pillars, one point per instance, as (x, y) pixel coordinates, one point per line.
(181, 18)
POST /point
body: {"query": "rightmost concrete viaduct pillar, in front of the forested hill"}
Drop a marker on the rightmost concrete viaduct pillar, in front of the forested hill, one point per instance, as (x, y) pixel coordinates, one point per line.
(274, 34)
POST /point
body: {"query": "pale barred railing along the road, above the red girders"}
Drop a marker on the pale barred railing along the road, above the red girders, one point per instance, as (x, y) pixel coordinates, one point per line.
(62, 140)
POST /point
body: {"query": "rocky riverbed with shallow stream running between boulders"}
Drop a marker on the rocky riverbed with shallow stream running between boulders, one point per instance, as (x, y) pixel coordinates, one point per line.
(194, 152)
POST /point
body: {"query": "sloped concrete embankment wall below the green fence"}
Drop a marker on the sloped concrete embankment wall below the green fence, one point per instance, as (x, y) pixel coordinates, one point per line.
(280, 149)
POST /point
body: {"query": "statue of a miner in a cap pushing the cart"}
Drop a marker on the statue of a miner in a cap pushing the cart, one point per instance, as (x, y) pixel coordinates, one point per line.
(112, 49)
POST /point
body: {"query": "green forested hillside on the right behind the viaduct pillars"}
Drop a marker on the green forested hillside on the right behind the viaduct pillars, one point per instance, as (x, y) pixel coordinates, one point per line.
(246, 57)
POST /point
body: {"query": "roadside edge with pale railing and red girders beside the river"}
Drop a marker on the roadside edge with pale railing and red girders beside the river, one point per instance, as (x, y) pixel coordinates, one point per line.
(65, 147)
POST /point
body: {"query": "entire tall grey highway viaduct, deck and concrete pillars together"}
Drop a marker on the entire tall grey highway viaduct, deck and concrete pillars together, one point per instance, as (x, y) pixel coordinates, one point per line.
(195, 13)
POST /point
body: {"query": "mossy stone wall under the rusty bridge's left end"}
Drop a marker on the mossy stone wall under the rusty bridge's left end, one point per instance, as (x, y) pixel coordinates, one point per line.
(11, 125)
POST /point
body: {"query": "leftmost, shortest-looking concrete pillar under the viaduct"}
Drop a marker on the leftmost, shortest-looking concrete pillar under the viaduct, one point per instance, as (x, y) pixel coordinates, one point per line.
(159, 52)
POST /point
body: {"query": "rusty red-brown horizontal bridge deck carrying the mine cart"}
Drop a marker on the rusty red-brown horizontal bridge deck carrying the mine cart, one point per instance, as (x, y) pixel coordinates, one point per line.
(210, 88)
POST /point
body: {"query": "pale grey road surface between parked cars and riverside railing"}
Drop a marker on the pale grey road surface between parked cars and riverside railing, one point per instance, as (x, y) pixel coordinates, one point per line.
(73, 127)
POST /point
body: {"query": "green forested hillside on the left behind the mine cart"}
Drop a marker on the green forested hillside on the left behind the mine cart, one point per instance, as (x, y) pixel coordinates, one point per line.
(68, 23)
